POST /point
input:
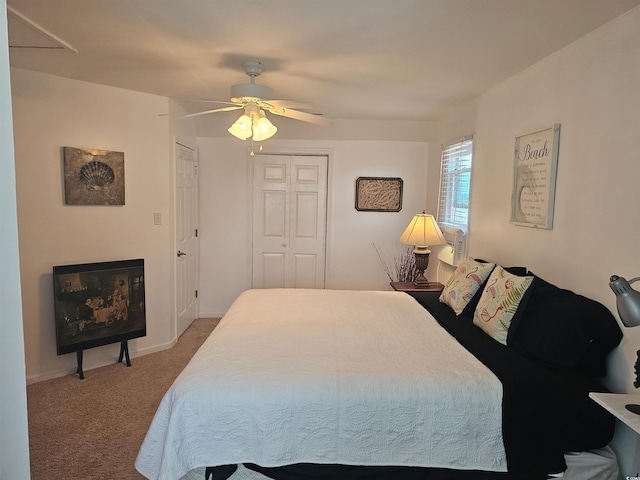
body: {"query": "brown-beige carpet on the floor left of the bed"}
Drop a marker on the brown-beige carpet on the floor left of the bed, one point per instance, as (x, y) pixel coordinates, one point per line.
(92, 428)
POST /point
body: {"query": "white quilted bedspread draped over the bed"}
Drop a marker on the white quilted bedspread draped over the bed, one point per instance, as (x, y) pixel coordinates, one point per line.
(327, 376)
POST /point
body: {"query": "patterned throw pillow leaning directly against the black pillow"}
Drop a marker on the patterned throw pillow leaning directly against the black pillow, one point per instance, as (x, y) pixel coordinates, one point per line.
(501, 298)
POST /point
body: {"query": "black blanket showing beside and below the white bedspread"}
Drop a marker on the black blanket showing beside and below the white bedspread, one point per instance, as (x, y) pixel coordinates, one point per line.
(546, 412)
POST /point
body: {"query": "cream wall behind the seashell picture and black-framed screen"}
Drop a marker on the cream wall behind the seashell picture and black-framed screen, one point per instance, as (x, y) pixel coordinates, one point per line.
(51, 112)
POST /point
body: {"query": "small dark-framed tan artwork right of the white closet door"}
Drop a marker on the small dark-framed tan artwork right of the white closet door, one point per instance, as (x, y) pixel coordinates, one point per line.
(378, 194)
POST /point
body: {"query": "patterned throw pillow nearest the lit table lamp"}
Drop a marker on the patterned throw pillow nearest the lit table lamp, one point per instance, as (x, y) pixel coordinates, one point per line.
(464, 283)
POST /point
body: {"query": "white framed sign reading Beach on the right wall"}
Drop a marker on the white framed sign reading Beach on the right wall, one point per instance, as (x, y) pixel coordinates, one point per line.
(534, 178)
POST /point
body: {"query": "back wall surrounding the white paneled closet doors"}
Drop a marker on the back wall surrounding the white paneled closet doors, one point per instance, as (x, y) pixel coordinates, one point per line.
(352, 263)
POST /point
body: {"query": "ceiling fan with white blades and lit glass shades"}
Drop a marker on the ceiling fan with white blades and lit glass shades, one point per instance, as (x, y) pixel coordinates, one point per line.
(255, 100)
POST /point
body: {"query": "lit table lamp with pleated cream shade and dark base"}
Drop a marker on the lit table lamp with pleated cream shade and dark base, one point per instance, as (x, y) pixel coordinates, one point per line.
(422, 232)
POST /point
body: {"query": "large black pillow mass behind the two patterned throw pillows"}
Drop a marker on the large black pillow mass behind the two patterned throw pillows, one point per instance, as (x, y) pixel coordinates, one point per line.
(565, 330)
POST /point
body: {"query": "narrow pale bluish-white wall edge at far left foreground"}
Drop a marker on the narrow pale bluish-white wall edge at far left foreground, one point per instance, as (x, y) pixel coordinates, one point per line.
(14, 442)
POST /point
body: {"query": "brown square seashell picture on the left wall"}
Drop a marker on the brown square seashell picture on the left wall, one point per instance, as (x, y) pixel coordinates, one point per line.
(93, 177)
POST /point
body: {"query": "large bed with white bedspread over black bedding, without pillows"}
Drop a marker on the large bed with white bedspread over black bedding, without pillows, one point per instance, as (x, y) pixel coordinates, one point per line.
(297, 383)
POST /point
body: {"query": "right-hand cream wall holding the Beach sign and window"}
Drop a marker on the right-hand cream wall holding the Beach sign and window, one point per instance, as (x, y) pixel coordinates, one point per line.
(592, 89)
